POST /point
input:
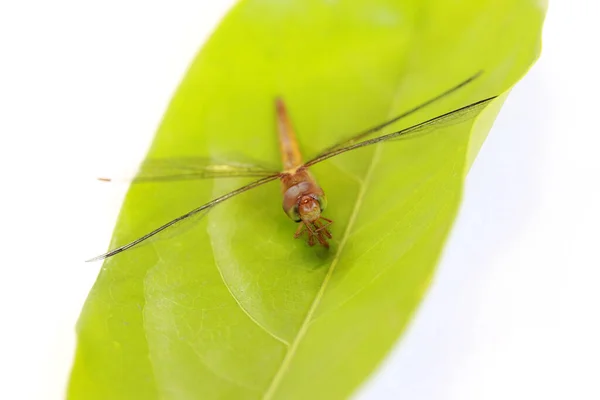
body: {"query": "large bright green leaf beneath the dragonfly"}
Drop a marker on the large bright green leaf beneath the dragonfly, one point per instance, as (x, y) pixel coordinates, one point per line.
(231, 306)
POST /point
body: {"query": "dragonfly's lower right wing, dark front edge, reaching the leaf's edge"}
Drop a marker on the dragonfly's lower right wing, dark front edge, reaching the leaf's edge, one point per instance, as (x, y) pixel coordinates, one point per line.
(459, 115)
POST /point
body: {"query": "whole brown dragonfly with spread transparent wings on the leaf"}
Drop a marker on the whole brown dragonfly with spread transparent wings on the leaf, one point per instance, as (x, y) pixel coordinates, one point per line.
(304, 201)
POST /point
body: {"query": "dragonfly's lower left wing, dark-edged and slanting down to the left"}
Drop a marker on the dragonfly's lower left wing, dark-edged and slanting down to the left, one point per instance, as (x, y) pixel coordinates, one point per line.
(199, 211)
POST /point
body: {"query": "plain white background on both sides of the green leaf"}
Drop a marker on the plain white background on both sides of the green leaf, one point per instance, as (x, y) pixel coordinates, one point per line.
(514, 309)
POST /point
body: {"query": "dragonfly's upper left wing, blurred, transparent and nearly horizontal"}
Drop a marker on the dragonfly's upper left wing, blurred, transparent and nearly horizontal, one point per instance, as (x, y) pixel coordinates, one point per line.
(191, 168)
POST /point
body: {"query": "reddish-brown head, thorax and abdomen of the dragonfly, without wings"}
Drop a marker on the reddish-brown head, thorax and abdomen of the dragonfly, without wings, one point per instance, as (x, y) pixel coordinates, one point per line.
(303, 198)
